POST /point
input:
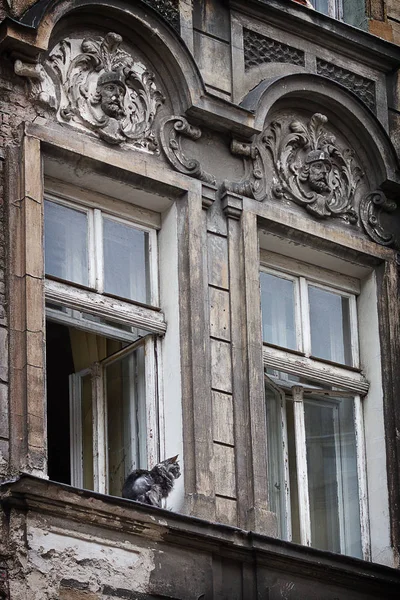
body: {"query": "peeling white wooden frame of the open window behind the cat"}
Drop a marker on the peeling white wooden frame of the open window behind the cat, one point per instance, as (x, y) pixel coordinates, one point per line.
(76, 300)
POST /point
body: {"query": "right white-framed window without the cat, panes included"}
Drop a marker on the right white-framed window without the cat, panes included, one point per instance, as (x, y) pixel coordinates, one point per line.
(314, 390)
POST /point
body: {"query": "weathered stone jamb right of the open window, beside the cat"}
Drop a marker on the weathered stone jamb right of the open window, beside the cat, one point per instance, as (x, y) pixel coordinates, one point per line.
(195, 358)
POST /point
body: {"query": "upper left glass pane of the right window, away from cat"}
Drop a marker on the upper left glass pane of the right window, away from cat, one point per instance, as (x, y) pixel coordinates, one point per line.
(278, 311)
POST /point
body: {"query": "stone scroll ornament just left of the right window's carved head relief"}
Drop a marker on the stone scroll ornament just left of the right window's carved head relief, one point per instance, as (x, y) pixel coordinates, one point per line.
(252, 184)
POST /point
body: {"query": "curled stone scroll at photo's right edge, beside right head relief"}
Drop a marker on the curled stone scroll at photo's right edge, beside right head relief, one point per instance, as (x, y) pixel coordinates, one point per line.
(371, 208)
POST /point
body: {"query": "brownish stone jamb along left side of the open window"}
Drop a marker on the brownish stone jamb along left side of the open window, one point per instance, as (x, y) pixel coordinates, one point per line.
(26, 309)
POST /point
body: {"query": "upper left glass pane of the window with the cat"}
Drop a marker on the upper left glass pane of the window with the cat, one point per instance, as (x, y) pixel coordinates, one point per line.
(66, 243)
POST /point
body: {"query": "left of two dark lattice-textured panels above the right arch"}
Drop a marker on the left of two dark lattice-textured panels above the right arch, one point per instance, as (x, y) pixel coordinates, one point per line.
(259, 49)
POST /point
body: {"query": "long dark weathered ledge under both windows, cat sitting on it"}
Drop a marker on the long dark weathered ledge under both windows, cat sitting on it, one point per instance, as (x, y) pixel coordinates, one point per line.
(38, 497)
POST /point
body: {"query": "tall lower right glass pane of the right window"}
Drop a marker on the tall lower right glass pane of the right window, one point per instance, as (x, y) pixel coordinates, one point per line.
(332, 476)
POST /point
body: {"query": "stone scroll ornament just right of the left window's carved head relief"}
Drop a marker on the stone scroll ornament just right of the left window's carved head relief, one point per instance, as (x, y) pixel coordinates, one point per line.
(172, 130)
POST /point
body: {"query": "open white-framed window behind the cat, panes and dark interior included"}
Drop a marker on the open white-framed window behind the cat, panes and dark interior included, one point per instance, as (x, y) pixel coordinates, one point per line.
(103, 323)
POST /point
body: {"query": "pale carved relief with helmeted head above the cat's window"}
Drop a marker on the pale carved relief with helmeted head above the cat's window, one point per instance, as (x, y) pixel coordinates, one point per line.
(101, 88)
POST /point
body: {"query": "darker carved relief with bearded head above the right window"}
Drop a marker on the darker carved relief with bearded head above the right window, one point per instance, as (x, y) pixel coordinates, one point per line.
(311, 169)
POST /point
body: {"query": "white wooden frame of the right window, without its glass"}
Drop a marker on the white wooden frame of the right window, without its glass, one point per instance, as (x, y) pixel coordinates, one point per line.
(345, 381)
